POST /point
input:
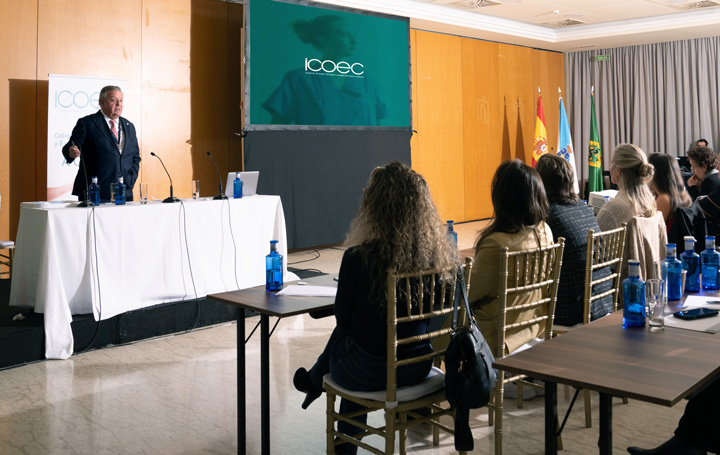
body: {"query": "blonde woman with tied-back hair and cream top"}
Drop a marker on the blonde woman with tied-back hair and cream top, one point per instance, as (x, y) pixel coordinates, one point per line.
(632, 172)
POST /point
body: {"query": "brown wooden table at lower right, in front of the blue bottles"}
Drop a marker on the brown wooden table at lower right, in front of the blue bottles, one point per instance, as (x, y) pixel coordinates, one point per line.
(656, 367)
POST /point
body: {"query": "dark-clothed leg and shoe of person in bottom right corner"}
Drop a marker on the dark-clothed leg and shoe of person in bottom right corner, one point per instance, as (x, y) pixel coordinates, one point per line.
(697, 431)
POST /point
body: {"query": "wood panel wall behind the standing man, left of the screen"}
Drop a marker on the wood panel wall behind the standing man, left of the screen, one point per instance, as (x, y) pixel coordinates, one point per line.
(181, 111)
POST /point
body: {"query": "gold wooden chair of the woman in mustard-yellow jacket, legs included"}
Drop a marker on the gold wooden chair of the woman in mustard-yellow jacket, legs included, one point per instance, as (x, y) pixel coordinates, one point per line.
(528, 288)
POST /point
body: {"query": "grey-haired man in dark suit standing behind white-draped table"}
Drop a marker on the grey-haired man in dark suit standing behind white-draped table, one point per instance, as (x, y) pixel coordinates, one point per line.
(107, 146)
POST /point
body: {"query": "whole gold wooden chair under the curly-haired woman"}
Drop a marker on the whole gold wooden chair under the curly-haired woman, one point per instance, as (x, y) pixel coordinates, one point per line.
(401, 404)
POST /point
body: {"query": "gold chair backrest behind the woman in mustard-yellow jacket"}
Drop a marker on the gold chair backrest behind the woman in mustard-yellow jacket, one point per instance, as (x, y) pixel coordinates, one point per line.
(528, 292)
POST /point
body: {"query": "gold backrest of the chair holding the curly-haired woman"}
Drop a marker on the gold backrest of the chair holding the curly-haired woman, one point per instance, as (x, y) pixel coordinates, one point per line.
(414, 297)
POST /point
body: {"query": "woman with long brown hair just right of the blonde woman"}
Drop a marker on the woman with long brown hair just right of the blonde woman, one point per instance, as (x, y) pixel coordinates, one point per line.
(667, 186)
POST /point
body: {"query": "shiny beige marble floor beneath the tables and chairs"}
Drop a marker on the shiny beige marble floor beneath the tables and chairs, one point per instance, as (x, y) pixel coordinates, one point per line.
(177, 395)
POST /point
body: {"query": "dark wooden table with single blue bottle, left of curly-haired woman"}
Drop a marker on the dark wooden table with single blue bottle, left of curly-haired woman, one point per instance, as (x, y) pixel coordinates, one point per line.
(267, 304)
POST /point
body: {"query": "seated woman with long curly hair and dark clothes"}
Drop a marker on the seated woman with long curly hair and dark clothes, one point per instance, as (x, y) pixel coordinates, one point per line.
(398, 227)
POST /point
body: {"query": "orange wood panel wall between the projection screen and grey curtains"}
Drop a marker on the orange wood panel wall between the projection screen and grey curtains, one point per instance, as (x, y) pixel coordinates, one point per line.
(474, 105)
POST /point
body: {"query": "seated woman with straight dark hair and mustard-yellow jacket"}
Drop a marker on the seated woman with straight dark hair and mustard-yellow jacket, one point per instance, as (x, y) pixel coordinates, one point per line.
(521, 208)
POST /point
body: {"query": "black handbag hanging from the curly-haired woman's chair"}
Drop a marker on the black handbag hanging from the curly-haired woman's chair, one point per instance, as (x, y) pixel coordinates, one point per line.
(469, 375)
